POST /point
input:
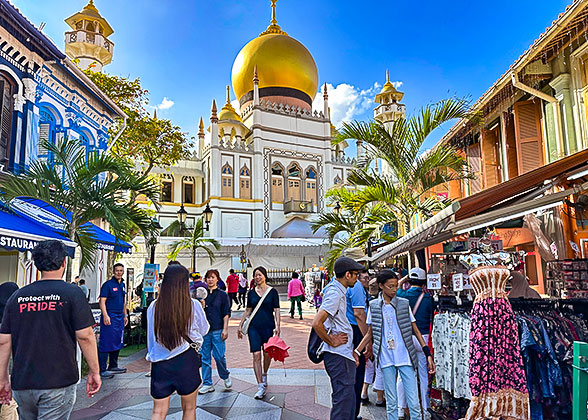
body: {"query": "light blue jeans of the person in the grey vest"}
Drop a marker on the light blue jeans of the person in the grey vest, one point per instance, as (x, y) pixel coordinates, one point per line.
(409, 381)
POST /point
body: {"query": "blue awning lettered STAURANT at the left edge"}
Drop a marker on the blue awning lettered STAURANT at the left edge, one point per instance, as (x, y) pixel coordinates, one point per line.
(23, 234)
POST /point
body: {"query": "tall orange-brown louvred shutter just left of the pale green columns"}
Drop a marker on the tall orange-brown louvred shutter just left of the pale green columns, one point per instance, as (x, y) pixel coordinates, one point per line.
(528, 135)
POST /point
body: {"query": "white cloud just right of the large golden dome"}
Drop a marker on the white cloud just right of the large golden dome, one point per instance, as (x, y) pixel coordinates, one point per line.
(348, 102)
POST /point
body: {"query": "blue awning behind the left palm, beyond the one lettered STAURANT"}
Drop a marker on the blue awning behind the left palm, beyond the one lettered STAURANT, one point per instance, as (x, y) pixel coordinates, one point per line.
(46, 215)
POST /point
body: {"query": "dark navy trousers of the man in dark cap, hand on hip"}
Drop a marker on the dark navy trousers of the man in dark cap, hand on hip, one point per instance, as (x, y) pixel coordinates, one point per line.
(341, 371)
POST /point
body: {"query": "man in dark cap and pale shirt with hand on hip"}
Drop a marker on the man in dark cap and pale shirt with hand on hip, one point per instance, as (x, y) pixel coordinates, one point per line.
(333, 327)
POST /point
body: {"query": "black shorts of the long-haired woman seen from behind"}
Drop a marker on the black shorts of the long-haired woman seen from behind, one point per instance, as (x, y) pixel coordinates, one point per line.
(181, 374)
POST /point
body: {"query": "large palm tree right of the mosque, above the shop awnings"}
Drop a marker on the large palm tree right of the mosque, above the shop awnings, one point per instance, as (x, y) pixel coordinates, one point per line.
(413, 173)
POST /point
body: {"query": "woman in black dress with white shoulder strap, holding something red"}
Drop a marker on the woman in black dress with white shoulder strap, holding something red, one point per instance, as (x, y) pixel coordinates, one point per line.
(262, 326)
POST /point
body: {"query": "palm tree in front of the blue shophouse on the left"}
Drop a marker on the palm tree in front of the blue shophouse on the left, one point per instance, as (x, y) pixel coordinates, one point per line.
(82, 189)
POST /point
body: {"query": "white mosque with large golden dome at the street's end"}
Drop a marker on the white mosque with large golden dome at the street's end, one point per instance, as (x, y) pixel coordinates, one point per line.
(260, 172)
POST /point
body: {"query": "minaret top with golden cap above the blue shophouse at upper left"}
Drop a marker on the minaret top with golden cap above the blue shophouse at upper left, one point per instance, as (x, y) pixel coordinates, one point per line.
(88, 41)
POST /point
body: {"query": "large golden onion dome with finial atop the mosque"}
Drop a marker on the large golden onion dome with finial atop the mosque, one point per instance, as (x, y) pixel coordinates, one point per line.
(281, 62)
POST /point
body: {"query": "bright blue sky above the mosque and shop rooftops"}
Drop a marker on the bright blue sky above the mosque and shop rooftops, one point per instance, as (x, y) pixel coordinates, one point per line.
(183, 51)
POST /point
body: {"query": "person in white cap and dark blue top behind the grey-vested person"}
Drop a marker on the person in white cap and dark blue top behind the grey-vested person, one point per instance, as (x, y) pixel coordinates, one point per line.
(421, 305)
